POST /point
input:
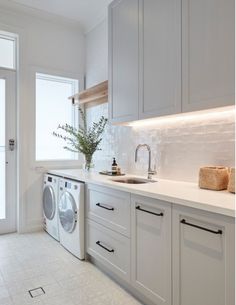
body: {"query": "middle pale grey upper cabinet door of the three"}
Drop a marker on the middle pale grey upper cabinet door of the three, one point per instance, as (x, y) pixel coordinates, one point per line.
(160, 58)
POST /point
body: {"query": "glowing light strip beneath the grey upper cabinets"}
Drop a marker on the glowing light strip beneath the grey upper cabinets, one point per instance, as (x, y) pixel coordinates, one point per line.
(203, 115)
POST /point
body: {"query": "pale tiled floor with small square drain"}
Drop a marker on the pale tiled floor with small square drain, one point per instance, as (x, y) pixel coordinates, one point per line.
(29, 261)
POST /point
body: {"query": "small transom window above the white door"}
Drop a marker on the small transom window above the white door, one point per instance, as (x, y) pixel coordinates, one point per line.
(7, 52)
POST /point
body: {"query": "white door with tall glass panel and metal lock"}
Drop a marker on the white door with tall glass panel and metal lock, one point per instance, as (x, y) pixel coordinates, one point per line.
(7, 151)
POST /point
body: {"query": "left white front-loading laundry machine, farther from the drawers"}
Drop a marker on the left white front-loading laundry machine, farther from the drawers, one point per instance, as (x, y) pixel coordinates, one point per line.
(50, 202)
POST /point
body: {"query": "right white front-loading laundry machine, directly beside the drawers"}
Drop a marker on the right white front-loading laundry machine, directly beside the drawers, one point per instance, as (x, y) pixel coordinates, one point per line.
(71, 216)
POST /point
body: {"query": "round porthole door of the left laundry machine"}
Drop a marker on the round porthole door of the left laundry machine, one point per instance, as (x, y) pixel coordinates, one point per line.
(49, 203)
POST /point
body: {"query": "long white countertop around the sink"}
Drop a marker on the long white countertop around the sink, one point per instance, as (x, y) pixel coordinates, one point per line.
(183, 193)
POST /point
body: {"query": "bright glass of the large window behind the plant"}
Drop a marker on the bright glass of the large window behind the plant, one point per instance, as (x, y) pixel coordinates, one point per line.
(54, 108)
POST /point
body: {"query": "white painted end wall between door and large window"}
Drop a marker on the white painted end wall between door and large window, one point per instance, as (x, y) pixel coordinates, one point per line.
(48, 45)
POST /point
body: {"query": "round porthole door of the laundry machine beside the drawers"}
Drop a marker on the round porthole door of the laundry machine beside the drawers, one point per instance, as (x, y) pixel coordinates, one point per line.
(67, 212)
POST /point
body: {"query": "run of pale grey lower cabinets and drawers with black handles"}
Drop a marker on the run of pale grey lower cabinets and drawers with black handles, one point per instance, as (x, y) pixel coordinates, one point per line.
(166, 254)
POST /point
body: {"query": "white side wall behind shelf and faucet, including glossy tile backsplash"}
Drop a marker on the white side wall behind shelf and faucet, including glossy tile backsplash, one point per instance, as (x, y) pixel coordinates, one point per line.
(179, 145)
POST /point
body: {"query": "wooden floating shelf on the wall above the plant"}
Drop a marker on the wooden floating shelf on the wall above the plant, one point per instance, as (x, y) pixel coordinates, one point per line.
(95, 95)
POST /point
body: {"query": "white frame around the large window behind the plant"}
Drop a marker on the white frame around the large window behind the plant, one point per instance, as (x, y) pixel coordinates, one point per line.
(42, 165)
